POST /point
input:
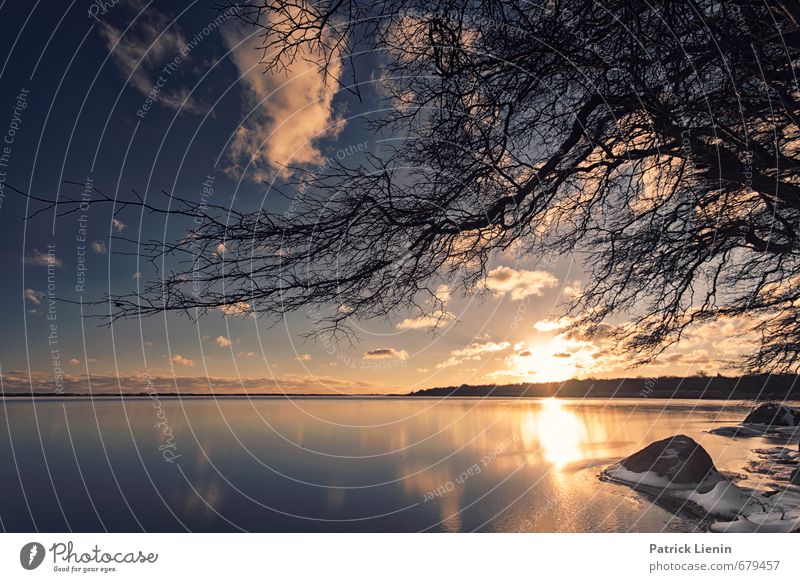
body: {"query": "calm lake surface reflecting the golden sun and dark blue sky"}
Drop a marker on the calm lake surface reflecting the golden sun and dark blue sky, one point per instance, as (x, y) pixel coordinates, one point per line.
(372, 464)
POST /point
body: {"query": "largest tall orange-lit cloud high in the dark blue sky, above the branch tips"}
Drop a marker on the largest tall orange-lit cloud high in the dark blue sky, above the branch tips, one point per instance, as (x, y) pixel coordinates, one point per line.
(291, 110)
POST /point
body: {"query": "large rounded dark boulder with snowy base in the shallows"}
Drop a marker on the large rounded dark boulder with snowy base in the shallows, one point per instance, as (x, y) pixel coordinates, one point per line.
(676, 460)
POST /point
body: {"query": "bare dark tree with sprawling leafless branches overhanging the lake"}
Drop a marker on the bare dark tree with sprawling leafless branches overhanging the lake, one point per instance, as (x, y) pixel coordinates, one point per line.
(655, 141)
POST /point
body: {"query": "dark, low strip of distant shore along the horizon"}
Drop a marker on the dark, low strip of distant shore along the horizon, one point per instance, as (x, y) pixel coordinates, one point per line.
(750, 387)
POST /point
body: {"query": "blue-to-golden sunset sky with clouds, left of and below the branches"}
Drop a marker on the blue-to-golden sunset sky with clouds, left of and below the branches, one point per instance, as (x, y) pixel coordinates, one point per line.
(157, 97)
